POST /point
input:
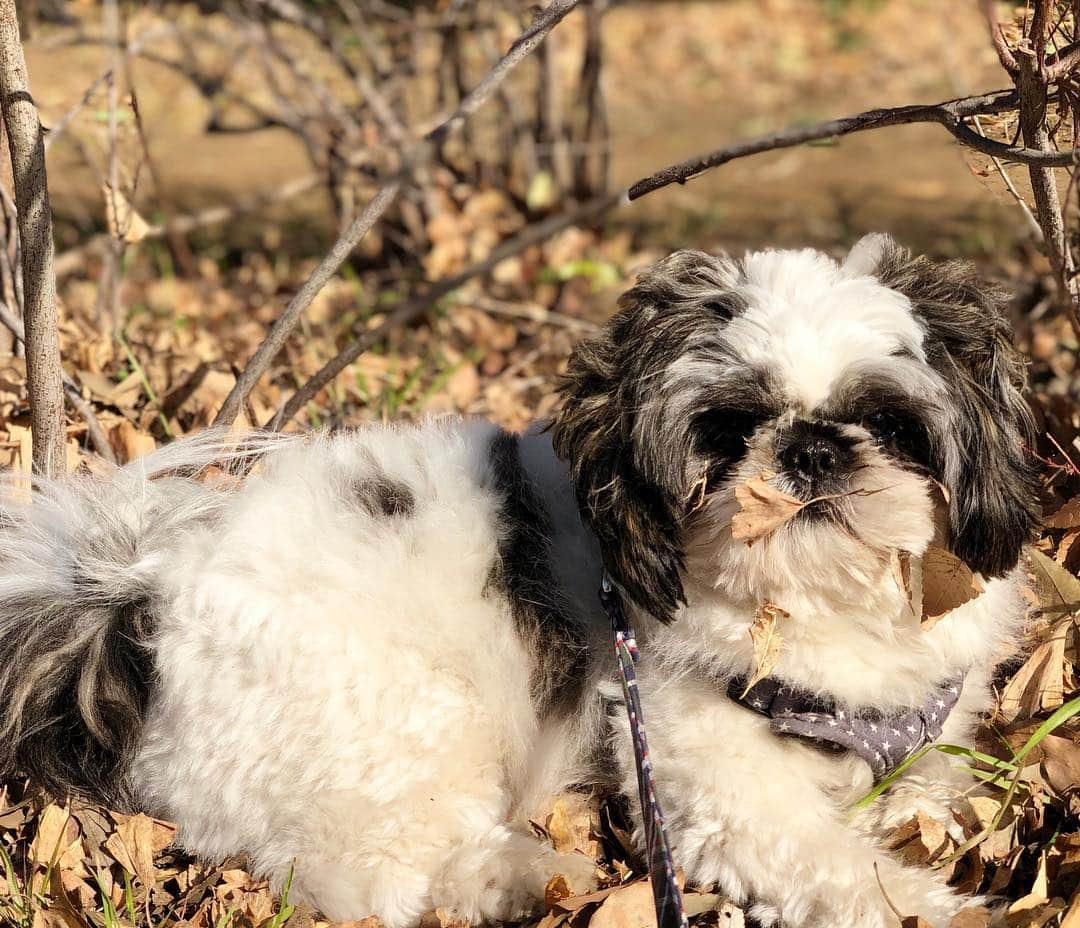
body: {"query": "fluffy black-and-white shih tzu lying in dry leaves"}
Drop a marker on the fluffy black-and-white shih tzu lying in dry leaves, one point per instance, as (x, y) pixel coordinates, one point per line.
(374, 657)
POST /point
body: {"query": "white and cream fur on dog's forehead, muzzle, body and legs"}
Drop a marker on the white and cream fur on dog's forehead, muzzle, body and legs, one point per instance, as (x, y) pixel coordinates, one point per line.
(340, 693)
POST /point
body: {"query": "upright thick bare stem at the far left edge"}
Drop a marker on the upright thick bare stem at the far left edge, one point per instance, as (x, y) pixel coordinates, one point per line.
(26, 146)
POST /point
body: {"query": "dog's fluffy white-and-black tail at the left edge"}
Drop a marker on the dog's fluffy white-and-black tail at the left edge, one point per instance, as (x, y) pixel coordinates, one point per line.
(79, 591)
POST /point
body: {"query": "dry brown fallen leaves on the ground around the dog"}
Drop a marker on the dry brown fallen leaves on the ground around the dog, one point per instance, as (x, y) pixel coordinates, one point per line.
(495, 349)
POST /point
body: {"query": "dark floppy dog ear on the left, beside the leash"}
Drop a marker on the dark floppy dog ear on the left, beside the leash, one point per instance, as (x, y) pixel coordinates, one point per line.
(631, 483)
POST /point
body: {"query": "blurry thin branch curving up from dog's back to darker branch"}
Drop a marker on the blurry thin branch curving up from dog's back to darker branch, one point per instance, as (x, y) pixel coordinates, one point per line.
(420, 305)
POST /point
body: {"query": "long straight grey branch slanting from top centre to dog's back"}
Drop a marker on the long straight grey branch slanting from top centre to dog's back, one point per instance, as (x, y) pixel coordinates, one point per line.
(412, 158)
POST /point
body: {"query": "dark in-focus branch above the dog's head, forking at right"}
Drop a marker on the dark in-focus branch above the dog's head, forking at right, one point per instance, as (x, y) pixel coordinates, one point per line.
(950, 114)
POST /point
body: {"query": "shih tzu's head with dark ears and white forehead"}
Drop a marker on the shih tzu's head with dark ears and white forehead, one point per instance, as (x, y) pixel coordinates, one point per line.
(886, 389)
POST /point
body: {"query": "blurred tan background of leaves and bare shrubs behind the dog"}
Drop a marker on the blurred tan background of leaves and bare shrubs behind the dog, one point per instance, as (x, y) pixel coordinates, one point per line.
(246, 135)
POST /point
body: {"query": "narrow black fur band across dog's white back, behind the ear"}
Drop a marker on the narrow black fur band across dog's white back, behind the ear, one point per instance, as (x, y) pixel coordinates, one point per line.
(524, 575)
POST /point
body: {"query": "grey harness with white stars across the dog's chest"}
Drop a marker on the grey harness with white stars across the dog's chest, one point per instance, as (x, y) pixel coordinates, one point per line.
(883, 739)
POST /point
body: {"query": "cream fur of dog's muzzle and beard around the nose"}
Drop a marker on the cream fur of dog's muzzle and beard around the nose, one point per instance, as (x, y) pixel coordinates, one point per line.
(835, 552)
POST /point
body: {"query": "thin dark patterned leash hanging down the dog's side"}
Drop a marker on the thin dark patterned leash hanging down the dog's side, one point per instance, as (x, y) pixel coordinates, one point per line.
(666, 893)
